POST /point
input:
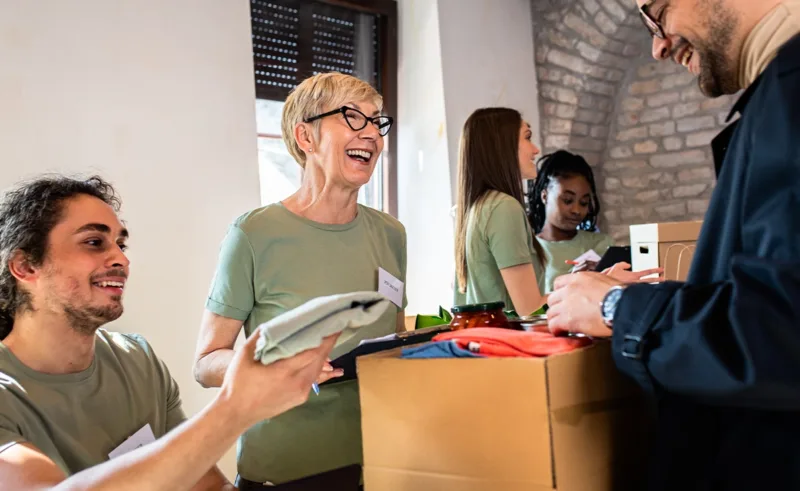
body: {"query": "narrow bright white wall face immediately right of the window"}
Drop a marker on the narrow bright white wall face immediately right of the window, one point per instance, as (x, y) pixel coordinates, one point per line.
(423, 172)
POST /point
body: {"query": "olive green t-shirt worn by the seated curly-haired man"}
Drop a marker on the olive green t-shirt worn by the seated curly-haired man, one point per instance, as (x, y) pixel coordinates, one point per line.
(78, 419)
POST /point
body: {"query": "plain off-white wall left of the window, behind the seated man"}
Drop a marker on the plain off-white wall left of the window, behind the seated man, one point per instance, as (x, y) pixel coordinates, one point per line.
(157, 96)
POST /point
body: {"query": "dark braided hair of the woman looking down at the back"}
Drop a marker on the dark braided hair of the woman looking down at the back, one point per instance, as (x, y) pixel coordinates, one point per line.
(553, 166)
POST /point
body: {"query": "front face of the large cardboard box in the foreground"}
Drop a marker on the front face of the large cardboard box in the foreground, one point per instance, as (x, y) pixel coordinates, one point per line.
(454, 435)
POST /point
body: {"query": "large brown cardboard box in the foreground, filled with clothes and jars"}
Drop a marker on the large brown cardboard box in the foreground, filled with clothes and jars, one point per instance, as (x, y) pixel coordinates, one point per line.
(568, 422)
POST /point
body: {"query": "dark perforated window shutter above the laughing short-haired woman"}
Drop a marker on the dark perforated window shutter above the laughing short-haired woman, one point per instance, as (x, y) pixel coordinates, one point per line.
(294, 39)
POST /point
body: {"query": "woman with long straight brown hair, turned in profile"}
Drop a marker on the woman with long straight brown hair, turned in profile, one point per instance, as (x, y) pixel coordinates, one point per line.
(498, 258)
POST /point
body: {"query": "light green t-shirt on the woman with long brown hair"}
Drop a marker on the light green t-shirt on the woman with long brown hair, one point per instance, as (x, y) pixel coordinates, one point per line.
(498, 237)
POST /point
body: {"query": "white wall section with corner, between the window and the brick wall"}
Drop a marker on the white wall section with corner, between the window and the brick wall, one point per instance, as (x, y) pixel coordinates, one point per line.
(455, 56)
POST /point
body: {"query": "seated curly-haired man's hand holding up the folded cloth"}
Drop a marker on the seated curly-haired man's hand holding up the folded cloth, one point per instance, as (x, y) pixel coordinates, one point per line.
(259, 392)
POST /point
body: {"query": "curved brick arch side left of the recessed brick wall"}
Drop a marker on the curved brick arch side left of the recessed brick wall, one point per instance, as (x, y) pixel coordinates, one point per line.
(583, 51)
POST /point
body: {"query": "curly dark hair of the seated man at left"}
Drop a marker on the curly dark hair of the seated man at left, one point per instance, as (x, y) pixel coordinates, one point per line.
(28, 213)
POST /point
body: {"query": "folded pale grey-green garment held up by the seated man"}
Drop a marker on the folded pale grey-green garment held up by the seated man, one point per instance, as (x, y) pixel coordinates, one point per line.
(306, 326)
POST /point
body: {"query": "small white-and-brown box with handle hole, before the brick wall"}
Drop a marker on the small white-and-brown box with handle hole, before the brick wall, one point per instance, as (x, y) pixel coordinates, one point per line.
(667, 245)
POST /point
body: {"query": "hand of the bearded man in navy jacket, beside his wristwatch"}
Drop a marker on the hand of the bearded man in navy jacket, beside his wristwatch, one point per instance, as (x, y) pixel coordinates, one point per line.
(575, 304)
